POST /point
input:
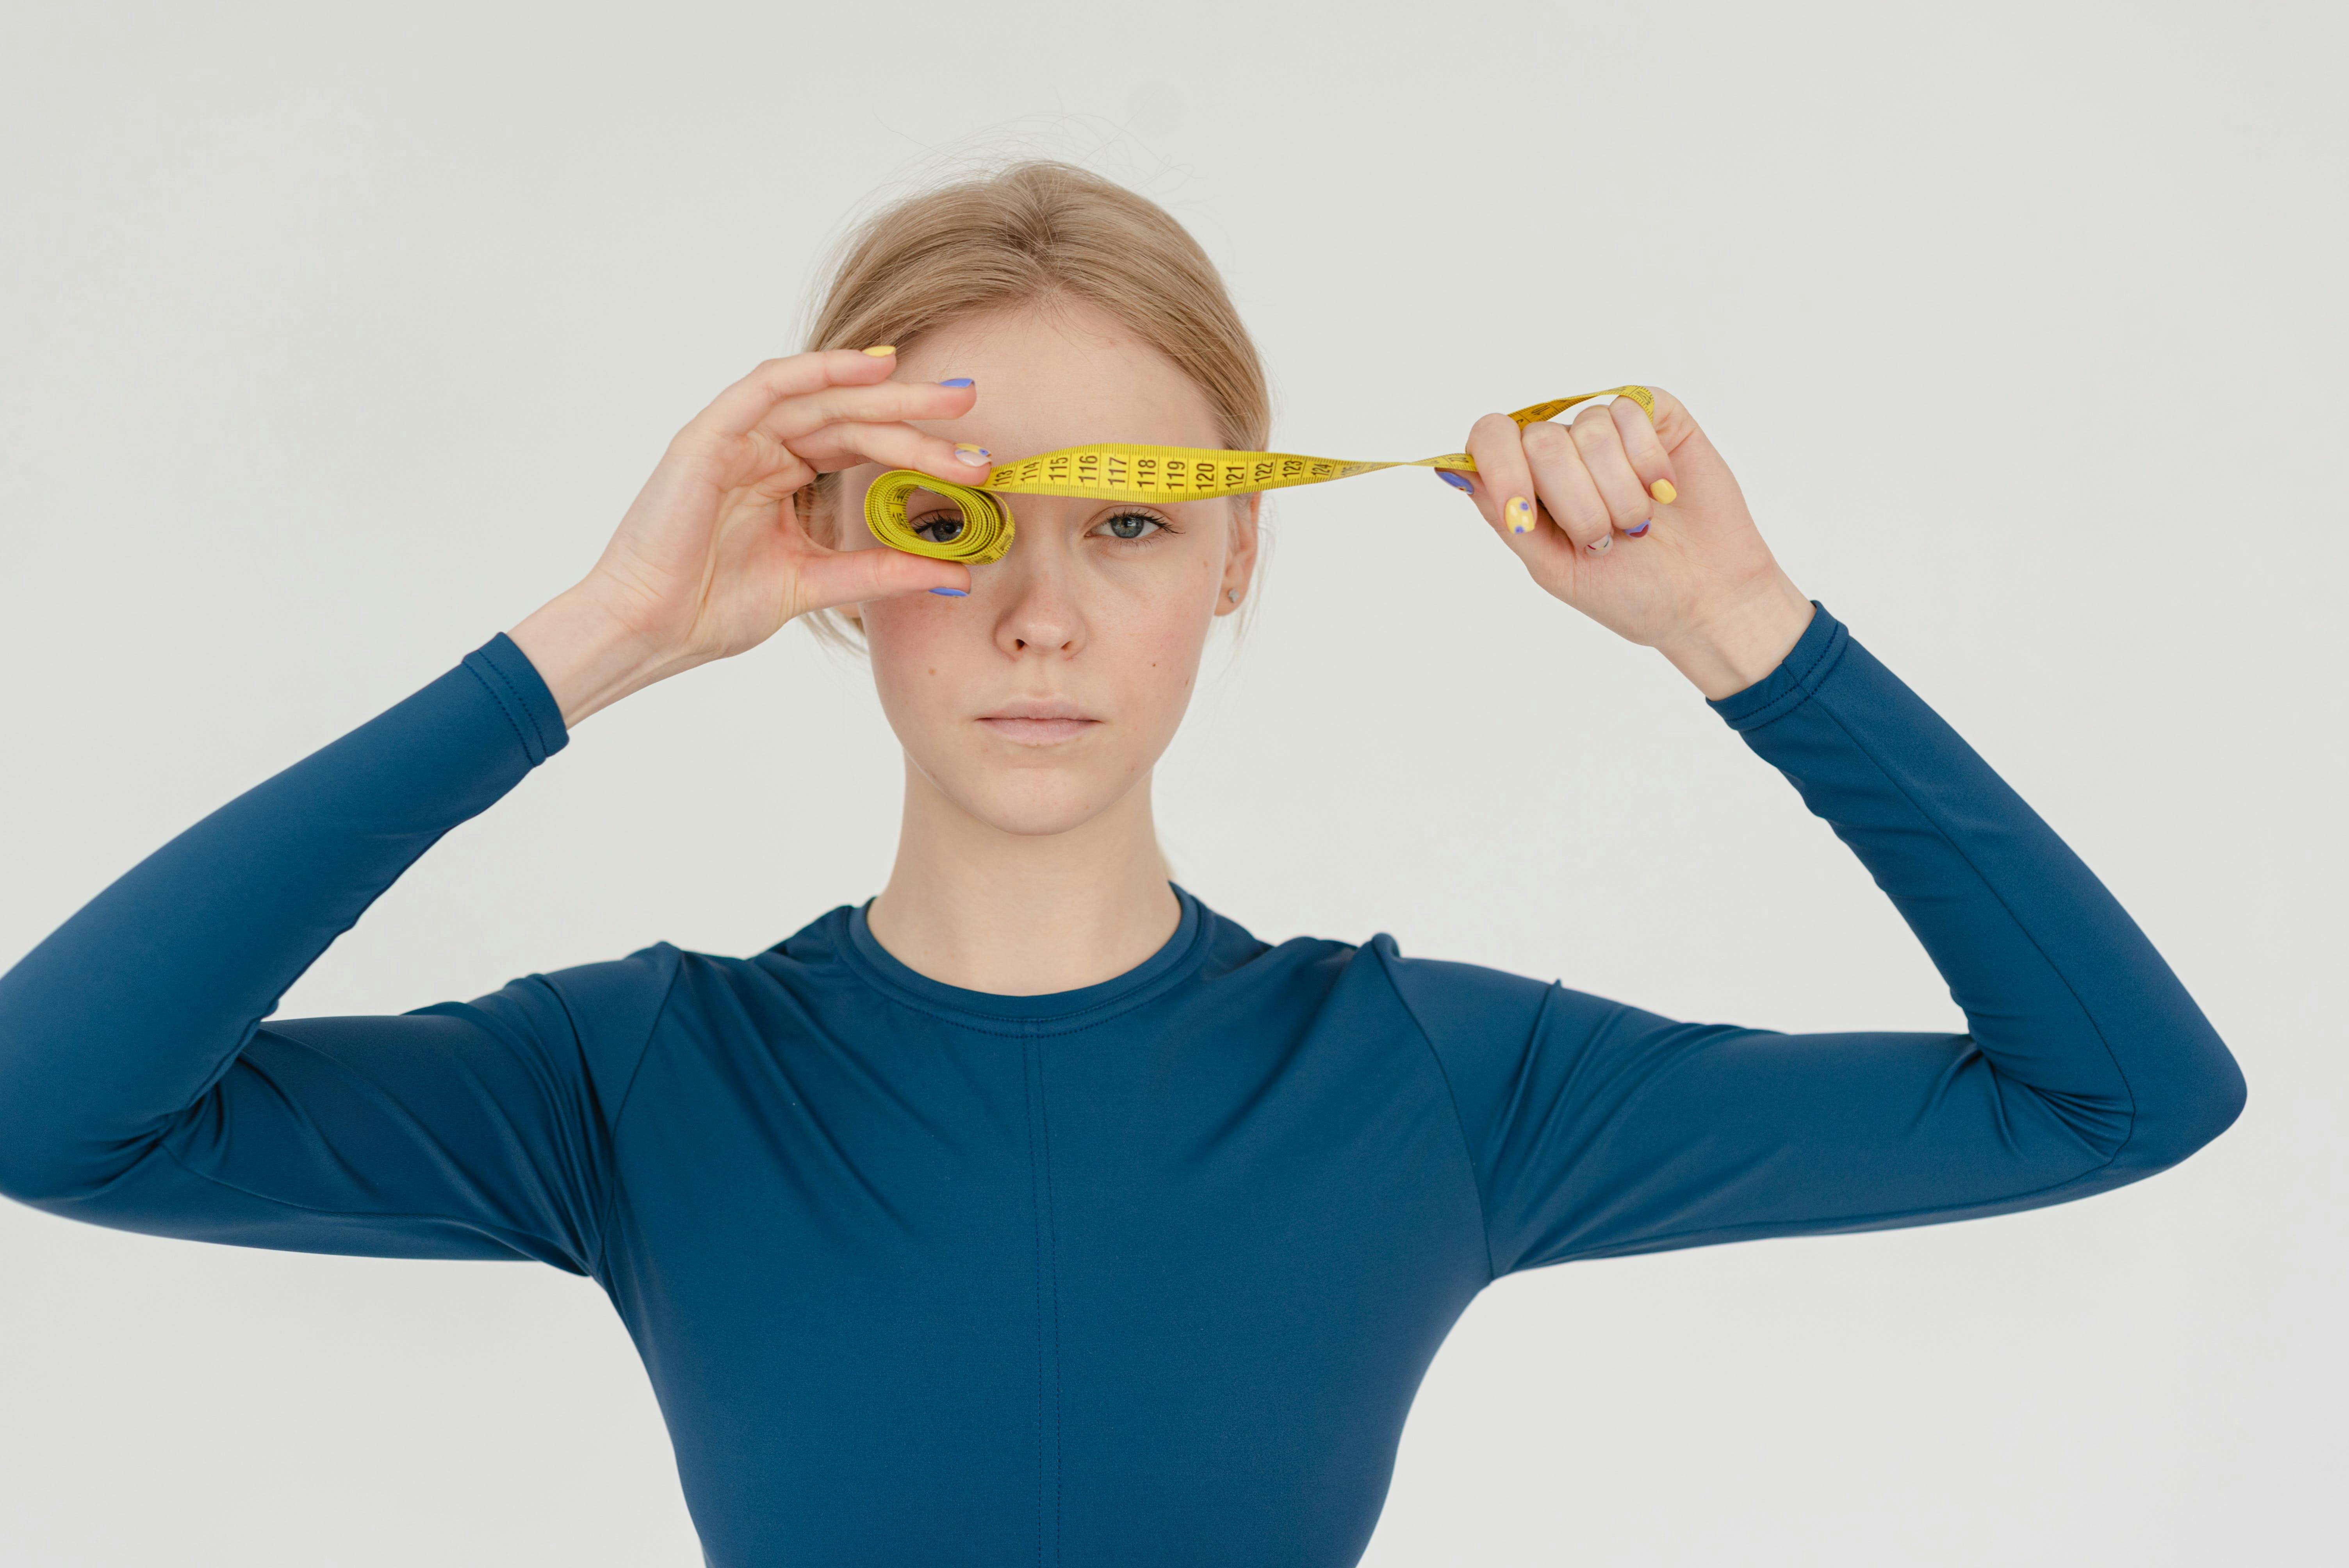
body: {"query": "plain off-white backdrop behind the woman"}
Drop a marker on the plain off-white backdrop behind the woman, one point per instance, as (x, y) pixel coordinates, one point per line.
(337, 339)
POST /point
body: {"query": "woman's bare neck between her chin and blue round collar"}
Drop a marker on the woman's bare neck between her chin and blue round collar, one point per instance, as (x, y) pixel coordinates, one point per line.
(1023, 914)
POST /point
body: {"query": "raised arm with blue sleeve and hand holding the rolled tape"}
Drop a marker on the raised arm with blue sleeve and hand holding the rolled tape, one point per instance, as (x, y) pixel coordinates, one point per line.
(140, 1086)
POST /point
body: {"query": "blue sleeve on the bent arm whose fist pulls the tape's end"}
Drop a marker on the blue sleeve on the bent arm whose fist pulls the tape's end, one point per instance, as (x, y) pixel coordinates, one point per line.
(1603, 1130)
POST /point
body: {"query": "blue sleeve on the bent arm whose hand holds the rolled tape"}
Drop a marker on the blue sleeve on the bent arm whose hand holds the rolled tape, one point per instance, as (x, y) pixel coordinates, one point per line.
(140, 1086)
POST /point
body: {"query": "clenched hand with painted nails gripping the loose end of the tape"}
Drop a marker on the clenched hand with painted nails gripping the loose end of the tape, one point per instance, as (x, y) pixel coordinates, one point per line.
(1643, 529)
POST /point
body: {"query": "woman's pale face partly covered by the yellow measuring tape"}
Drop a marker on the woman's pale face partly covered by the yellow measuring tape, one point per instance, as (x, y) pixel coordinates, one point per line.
(1054, 689)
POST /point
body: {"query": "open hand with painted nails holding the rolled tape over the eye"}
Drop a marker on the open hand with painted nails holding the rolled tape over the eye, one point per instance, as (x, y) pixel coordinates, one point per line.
(713, 560)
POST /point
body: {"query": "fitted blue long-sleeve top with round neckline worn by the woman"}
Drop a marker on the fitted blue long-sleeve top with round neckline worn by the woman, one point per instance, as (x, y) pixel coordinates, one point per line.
(1143, 1273)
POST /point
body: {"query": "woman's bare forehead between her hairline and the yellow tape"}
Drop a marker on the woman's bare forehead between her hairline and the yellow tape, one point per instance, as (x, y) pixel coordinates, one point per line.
(1061, 377)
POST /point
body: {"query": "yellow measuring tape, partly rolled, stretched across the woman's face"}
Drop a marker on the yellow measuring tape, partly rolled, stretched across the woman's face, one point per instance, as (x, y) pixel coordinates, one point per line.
(1133, 473)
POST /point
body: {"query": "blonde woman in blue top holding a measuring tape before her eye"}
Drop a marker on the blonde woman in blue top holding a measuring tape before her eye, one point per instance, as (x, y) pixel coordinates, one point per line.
(1035, 1212)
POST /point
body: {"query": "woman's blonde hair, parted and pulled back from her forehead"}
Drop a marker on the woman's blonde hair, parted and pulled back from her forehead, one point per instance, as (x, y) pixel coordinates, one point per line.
(1037, 234)
